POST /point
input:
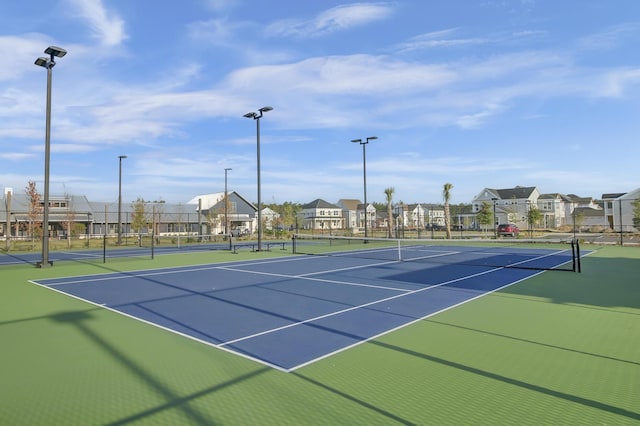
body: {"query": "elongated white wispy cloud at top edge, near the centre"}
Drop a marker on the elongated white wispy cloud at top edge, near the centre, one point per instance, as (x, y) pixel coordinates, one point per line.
(335, 19)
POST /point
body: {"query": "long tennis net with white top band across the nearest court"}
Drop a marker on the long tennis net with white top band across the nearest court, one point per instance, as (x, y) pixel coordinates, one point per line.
(558, 255)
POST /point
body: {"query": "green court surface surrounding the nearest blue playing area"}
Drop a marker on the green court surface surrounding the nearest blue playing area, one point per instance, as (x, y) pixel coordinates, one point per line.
(558, 348)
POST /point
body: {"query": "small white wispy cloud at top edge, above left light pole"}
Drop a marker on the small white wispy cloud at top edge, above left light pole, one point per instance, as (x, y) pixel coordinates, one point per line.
(107, 26)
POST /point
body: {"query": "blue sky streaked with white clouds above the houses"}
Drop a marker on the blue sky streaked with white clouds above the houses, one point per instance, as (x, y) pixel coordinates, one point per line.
(477, 93)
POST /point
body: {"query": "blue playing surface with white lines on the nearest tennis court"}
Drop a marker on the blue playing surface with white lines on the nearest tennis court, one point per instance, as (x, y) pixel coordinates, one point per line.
(289, 312)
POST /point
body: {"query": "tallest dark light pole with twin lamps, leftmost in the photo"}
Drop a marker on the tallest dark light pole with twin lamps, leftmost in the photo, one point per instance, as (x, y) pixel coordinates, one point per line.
(48, 63)
